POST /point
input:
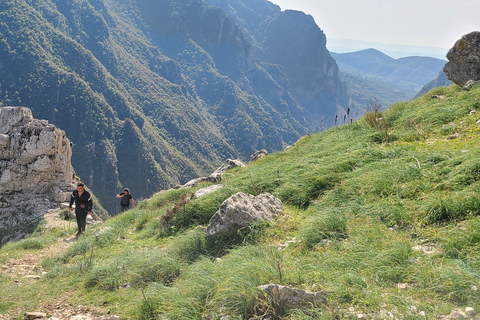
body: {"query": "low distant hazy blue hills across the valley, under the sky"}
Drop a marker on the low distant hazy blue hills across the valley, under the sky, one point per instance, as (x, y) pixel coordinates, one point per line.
(372, 74)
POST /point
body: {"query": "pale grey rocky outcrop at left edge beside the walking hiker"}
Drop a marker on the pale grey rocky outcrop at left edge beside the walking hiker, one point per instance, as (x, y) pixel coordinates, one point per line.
(35, 171)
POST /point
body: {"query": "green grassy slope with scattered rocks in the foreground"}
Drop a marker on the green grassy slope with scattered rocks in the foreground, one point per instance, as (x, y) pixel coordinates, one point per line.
(356, 206)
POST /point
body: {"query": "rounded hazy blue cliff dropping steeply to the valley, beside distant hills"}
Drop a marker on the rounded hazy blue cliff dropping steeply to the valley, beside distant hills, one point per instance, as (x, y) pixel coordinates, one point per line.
(293, 40)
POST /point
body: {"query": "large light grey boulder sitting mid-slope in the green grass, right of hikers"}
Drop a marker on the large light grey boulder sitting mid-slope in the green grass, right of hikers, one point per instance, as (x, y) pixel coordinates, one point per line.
(242, 209)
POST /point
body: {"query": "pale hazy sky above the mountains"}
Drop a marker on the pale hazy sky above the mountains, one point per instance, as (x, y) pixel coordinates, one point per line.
(427, 23)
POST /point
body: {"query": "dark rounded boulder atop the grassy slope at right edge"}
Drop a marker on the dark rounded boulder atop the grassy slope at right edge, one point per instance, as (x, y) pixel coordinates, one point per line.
(464, 60)
